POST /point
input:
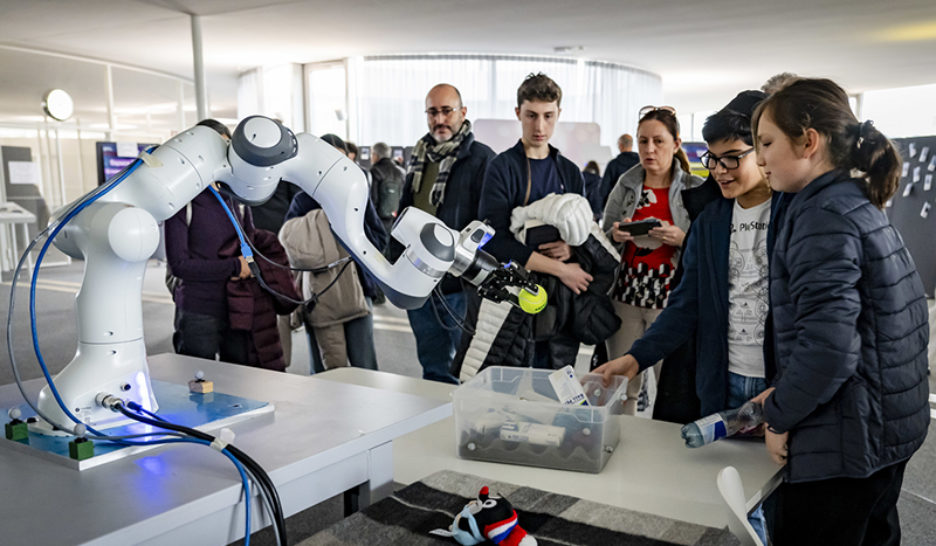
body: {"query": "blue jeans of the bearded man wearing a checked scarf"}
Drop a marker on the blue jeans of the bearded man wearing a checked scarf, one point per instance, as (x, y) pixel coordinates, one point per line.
(437, 335)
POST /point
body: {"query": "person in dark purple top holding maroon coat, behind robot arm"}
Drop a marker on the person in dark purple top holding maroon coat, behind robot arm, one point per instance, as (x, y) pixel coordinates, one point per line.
(193, 238)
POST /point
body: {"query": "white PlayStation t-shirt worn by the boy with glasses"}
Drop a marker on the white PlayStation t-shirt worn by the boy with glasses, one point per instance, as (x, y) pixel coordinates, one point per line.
(748, 289)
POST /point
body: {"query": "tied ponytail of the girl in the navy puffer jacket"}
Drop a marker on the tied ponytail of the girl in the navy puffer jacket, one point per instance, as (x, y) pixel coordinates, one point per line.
(877, 157)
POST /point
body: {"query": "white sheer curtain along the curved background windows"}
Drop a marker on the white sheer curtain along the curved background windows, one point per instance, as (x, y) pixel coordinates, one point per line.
(382, 98)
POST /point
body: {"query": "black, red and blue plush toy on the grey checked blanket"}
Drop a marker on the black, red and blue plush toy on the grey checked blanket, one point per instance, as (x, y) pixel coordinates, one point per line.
(489, 517)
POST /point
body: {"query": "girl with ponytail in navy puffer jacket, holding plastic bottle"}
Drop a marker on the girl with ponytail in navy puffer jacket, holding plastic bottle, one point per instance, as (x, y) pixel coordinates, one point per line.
(848, 406)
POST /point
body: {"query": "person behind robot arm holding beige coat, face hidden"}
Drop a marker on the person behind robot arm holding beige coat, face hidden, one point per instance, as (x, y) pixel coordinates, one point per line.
(347, 332)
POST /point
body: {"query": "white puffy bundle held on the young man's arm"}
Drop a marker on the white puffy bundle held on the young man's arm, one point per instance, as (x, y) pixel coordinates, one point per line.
(570, 213)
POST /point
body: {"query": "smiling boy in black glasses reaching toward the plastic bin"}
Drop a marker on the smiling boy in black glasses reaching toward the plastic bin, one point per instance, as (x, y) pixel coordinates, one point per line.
(722, 296)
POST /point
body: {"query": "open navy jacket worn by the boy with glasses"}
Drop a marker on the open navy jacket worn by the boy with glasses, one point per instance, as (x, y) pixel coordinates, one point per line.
(699, 305)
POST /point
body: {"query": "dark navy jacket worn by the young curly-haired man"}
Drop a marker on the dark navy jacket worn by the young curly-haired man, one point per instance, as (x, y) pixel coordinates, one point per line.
(504, 189)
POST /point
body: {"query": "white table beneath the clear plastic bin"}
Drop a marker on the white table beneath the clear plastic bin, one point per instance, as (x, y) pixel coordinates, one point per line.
(651, 470)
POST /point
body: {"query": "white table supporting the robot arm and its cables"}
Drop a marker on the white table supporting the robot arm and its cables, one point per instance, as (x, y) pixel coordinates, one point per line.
(323, 439)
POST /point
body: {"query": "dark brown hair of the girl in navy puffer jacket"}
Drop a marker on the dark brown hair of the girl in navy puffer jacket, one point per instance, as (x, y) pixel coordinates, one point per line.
(822, 105)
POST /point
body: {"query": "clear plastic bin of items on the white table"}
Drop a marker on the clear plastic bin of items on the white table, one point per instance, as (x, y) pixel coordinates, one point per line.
(512, 415)
